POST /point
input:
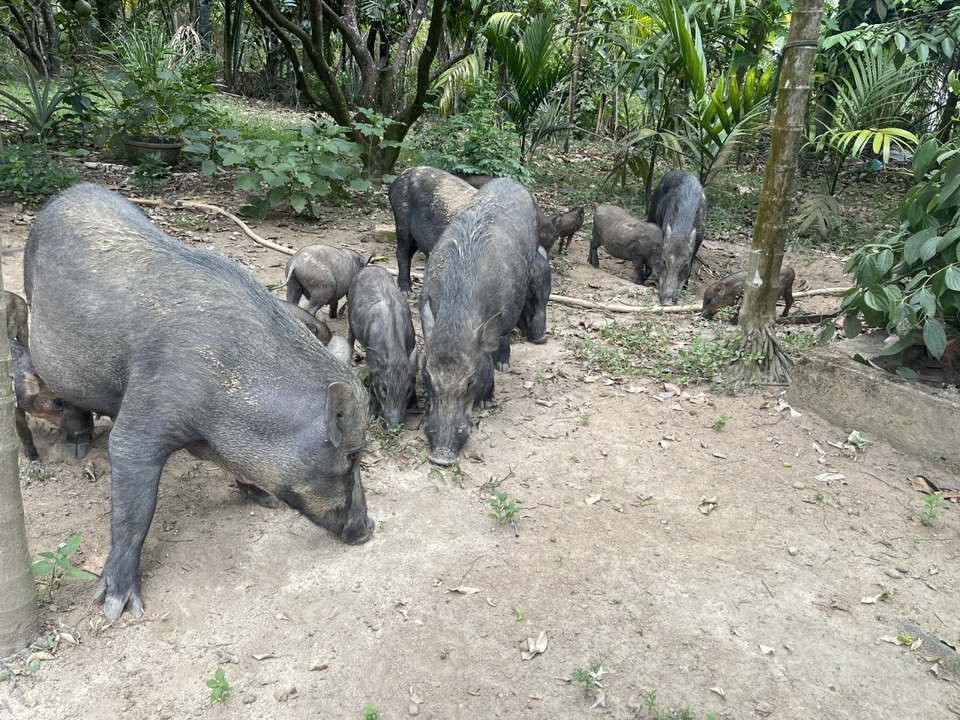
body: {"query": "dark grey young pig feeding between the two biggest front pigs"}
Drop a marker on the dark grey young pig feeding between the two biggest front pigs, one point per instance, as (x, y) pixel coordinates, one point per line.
(380, 319)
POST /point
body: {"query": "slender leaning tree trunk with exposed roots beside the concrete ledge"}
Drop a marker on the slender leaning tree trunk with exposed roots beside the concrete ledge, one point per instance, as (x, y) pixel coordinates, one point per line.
(760, 356)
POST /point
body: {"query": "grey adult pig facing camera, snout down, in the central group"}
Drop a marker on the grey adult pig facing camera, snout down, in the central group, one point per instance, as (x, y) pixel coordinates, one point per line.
(474, 290)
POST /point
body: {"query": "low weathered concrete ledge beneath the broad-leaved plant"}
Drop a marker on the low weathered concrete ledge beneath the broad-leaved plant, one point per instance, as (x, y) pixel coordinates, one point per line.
(912, 417)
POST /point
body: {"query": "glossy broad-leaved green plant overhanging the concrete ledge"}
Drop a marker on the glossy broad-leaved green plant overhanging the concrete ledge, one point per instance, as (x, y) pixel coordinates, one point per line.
(909, 284)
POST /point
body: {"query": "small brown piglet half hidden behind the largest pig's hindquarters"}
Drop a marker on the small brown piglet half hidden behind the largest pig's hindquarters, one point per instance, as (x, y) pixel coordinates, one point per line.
(35, 398)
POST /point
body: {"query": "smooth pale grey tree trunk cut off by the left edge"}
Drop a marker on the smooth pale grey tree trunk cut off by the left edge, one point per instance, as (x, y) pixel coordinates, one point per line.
(18, 593)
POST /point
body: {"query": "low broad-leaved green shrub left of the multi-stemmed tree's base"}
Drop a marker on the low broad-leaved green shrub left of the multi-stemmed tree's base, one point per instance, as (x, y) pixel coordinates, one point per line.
(310, 163)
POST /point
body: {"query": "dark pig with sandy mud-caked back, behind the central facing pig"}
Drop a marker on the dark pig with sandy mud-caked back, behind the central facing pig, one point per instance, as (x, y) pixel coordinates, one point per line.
(424, 199)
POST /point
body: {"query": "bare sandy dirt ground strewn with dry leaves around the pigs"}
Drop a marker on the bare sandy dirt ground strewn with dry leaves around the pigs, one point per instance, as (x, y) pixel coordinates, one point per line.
(725, 569)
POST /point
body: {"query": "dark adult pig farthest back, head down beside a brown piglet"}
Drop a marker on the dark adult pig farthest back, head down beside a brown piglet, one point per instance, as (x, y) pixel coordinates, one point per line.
(679, 207)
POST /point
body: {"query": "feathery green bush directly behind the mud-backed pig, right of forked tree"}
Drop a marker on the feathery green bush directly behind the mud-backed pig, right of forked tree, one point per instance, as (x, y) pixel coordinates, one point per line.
(472, 141)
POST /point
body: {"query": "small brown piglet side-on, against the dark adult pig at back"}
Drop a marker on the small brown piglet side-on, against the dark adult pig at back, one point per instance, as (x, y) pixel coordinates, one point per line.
(623, 236)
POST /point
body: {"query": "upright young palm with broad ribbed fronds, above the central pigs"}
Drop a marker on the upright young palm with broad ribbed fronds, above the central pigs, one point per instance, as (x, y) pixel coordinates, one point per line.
(533, 63)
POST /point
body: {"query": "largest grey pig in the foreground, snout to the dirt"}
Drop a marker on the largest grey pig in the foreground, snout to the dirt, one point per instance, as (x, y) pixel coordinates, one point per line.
(182, 348)
